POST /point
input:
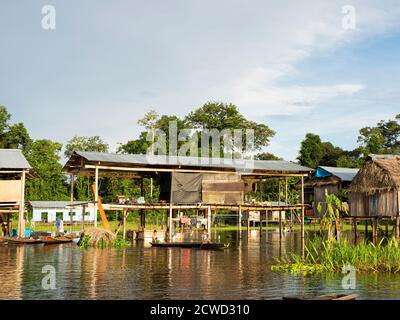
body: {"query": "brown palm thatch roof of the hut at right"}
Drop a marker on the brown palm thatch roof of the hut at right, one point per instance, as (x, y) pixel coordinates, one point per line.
(380, 173)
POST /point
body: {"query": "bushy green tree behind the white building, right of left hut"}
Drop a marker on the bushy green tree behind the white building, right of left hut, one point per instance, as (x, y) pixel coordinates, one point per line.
(48, 181)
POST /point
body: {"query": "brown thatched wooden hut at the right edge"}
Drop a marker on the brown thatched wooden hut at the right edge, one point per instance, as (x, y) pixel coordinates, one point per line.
(375, 190)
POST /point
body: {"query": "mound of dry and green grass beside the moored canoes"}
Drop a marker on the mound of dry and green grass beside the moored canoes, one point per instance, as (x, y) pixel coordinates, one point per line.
(100, 238)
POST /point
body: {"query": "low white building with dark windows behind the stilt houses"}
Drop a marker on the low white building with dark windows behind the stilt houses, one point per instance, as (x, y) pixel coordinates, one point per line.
(49, 211)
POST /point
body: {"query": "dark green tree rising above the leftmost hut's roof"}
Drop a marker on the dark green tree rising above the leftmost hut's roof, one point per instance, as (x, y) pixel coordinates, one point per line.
(12, 136)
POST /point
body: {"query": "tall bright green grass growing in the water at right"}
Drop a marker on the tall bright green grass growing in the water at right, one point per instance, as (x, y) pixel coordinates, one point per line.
(333, 255)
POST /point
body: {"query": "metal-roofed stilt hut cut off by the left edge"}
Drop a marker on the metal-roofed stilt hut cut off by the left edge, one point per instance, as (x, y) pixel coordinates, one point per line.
(13, 170)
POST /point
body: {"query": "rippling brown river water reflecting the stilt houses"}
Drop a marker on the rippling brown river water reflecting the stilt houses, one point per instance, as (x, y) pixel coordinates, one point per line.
(243, 271)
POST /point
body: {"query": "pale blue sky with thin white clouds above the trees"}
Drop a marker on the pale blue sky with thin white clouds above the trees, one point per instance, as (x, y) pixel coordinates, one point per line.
(291, 65)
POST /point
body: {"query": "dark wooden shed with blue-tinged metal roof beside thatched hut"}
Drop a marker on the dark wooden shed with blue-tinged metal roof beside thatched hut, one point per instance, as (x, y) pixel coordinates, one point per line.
(325, 180)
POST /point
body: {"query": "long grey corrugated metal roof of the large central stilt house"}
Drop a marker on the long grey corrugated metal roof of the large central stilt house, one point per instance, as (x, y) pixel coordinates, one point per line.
(263, 165)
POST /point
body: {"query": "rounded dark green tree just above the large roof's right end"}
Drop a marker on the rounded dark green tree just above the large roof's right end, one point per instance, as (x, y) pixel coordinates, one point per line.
(311, 151)
